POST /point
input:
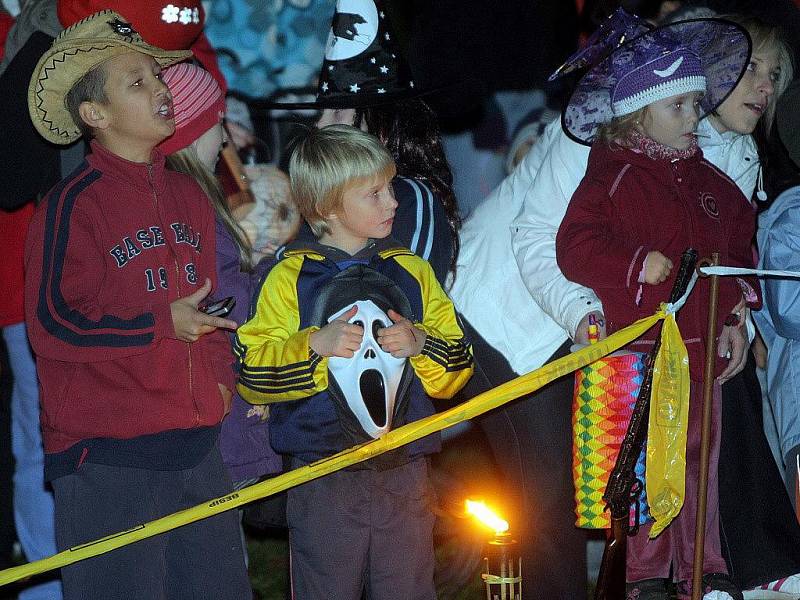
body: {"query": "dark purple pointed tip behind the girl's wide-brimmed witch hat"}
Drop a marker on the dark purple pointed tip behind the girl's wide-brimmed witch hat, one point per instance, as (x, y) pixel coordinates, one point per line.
(618, 28)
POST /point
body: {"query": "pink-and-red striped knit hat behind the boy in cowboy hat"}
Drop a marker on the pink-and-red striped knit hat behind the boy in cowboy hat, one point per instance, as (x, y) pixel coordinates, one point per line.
(198, 103)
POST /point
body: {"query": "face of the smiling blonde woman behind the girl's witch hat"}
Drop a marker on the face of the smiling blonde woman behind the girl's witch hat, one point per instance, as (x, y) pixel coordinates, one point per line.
(749, 100)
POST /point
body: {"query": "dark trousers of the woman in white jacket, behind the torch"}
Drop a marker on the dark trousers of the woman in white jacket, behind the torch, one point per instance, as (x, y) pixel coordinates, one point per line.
(531, 439)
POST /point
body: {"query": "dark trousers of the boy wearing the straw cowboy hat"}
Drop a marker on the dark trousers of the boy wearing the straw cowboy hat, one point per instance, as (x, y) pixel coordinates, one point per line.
(202, 560)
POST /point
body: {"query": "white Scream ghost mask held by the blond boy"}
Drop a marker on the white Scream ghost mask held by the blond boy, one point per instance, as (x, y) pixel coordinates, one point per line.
(369, 381)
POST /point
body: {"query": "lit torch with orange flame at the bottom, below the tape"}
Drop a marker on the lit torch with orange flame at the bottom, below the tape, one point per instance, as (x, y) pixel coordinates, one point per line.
(500, 560)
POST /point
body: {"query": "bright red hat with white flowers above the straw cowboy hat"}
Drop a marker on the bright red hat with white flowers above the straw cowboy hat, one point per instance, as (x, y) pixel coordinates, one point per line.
(167, 24)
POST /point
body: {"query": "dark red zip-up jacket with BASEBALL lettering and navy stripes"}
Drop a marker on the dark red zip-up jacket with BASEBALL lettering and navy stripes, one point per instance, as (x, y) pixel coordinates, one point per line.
(108, 250)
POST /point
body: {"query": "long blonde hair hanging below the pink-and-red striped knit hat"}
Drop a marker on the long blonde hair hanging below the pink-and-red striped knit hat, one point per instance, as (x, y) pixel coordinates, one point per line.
(187, 162)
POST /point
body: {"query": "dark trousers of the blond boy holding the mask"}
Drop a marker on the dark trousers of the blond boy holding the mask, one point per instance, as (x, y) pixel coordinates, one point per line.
(363, 531)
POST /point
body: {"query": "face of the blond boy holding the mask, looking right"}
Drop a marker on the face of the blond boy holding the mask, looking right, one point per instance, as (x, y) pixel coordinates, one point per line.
(367, 212)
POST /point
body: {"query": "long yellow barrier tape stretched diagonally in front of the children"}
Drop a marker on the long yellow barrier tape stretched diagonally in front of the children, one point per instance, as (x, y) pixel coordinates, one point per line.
(402, 435)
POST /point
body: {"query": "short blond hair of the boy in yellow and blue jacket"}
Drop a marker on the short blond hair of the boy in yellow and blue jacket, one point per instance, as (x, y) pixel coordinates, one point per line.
(328, 162)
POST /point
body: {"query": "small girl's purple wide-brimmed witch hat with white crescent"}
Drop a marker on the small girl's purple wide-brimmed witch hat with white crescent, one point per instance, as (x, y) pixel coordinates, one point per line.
(696, 55)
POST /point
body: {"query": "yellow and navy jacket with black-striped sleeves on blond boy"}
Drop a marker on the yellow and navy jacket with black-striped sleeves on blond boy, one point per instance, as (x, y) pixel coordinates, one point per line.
(279, 367)
